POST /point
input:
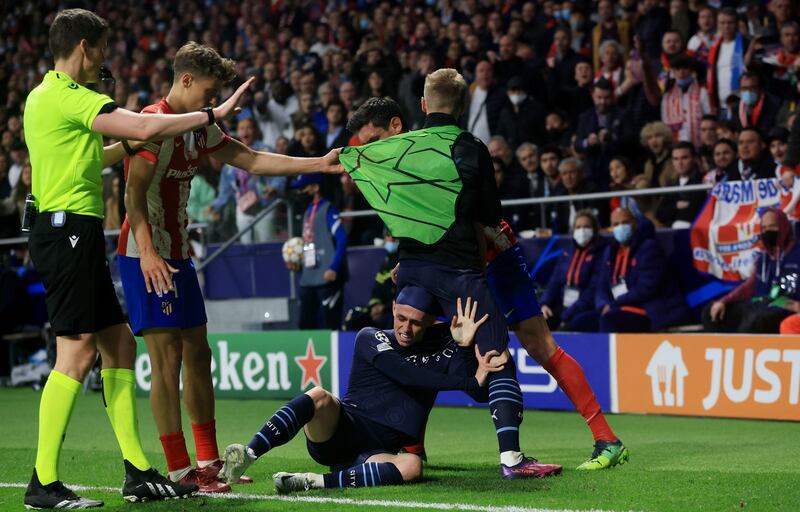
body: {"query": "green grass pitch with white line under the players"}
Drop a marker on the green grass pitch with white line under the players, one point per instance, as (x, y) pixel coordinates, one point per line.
(677, 464)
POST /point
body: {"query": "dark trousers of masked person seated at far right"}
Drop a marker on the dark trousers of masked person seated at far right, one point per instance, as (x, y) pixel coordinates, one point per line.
(745, 317)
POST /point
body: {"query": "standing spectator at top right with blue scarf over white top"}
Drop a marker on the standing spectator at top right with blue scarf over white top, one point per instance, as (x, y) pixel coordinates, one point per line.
(725, 60)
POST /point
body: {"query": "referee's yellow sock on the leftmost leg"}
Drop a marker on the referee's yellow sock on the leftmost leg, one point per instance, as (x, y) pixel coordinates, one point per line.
(55, 409)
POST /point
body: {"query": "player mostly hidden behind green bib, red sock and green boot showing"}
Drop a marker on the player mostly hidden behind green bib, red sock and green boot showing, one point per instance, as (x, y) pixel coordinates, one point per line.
(515, 295)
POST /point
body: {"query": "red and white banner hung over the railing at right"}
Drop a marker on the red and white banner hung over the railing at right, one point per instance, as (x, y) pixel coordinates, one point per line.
(725, 233)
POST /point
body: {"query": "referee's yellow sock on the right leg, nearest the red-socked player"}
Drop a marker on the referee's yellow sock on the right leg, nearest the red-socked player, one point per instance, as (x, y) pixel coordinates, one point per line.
(119, 390)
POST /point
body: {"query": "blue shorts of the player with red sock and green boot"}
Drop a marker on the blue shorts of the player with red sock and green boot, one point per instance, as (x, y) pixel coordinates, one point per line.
(512, 287)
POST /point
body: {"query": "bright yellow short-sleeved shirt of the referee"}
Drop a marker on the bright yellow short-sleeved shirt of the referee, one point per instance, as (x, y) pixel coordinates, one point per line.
(66, 155)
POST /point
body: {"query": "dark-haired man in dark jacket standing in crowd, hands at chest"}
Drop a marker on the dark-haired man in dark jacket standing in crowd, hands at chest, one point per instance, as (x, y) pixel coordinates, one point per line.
(601, 132)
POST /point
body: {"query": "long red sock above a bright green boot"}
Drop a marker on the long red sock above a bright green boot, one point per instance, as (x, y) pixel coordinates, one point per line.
(570, 377)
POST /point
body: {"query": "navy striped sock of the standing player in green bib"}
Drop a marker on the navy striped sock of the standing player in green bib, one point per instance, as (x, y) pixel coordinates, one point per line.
(505, 406)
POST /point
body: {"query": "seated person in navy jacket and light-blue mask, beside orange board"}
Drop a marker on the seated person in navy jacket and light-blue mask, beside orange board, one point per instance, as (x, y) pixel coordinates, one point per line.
(633, 291)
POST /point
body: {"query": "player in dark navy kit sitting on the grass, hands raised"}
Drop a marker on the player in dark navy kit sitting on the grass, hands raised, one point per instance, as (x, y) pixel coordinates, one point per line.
(393, 383)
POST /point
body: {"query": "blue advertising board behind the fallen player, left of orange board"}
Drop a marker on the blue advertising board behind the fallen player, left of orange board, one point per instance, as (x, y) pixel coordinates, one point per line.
(539, 389)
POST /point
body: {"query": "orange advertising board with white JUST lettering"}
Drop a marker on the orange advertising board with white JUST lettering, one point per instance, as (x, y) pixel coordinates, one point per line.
(738, 376)
